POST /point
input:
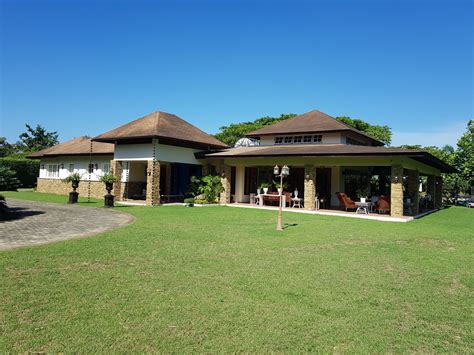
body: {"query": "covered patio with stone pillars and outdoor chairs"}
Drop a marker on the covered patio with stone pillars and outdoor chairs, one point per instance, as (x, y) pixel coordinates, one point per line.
(367, 181)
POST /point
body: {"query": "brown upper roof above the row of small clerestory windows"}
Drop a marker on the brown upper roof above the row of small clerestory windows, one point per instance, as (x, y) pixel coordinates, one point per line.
(309, 122)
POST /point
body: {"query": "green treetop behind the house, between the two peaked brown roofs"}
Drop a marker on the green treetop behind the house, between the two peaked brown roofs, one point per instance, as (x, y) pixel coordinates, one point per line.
(232, 133)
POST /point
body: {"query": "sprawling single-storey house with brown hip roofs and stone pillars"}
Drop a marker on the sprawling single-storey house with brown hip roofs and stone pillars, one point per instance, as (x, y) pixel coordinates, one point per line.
(157, 154)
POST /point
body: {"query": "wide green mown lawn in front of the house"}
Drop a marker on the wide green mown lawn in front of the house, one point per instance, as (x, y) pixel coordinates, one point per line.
(222, 279)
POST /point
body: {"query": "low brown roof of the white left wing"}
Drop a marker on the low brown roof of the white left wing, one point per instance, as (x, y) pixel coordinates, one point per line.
(76, 146)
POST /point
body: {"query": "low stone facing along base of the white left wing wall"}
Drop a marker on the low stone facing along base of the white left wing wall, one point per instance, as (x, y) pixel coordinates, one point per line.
(94, 189)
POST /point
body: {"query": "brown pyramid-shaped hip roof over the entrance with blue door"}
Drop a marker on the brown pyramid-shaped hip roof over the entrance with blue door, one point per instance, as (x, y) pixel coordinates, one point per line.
(161, 125)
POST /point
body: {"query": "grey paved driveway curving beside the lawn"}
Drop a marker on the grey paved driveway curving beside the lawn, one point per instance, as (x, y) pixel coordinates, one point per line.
(40, 223)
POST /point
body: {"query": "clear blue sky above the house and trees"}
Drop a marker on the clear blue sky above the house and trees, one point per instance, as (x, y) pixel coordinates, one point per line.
(85, 67)
